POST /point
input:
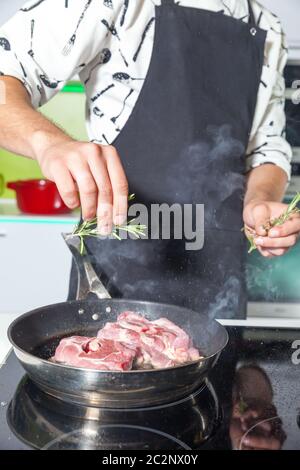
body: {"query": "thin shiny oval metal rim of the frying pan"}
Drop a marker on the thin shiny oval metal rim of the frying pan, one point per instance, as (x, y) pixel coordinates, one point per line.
(101, 372)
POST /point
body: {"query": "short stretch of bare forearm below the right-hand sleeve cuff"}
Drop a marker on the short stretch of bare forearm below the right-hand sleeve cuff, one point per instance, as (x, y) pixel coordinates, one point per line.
(265, 183)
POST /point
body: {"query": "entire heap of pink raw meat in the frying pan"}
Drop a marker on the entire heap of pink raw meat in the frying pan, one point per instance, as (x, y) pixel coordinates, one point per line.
(130, 342)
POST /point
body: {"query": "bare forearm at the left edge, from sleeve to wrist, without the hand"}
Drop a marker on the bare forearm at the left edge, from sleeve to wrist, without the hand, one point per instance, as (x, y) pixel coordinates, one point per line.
(23, 130)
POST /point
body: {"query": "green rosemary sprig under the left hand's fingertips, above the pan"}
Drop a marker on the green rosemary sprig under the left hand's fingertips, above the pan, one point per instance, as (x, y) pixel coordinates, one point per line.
(88, 228)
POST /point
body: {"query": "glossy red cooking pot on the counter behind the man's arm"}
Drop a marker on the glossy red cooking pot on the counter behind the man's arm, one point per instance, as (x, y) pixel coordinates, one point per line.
(39, 197)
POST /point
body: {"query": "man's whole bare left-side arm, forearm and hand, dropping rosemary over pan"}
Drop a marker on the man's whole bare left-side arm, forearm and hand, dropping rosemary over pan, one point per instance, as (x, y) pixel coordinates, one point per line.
(85, 173)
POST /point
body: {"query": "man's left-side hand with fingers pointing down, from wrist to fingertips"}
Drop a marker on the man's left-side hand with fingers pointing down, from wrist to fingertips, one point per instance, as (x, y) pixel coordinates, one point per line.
(90, 175)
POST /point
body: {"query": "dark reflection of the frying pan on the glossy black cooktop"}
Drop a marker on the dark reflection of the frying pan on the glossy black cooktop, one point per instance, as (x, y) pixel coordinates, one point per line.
(44, 422)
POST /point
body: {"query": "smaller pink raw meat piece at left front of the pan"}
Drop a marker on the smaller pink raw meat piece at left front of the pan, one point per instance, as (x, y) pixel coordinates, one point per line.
(93, 353)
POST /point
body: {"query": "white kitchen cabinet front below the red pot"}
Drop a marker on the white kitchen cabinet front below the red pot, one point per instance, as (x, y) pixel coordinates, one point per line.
(35, 262)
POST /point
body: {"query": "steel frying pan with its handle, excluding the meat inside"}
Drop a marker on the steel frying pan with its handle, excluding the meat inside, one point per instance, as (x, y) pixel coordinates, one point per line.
(36, 334)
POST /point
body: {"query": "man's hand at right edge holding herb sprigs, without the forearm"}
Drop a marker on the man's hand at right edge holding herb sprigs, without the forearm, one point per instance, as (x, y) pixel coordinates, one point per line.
(279, 239)
